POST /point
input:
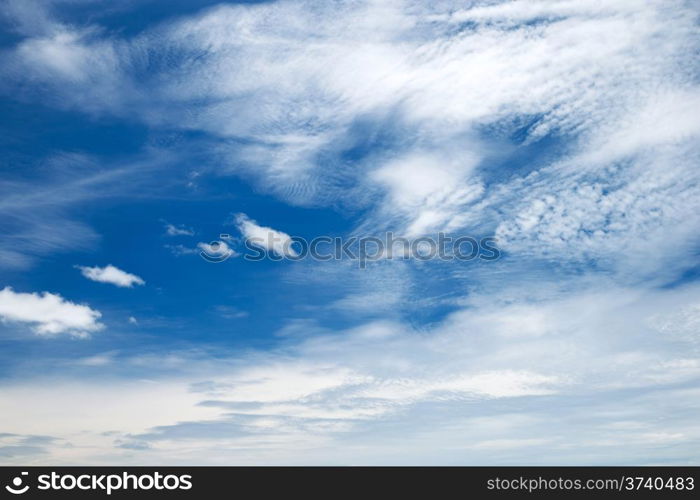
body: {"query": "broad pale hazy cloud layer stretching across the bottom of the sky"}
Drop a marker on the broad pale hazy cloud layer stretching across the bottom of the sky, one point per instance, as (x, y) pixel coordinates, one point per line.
(472, 386)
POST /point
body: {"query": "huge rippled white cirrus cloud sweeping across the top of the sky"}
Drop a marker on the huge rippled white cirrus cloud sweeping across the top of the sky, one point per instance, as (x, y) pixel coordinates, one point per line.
(461, 81)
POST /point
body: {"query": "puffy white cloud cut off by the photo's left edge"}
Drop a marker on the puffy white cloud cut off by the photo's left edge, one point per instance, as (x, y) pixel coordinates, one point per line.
(48, 313)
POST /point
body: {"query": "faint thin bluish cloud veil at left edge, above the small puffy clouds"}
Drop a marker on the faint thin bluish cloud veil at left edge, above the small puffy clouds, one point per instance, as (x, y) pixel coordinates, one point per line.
(43, 217)
